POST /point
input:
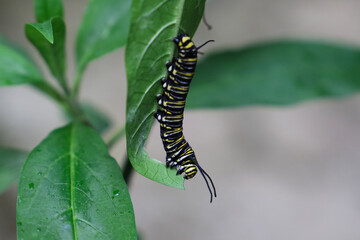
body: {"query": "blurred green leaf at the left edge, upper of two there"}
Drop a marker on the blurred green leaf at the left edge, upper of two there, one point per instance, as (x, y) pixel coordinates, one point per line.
(16, 67)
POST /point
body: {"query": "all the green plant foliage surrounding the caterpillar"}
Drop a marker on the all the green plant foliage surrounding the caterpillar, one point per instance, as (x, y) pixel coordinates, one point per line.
(70, 187)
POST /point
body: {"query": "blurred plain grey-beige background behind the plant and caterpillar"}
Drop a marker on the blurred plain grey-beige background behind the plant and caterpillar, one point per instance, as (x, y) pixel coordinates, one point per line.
(280, 172)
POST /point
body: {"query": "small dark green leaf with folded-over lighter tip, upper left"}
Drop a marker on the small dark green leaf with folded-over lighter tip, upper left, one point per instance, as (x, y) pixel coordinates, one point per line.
(49, 39)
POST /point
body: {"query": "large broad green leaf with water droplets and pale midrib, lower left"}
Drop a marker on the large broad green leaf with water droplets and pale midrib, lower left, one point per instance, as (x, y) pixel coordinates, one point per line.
(71, 188)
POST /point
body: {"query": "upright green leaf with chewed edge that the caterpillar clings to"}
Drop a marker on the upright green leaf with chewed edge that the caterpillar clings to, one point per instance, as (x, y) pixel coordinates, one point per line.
(153, 25)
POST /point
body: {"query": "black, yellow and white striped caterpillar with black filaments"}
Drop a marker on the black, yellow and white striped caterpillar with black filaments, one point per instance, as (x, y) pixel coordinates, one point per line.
(170, 114)
